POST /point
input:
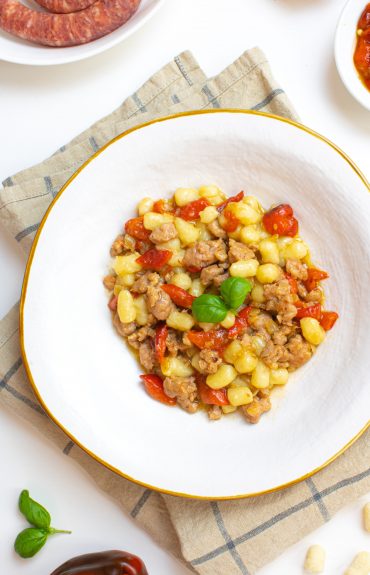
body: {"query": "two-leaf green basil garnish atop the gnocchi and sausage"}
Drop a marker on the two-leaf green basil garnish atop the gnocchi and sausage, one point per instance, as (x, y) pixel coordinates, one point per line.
(210, 308)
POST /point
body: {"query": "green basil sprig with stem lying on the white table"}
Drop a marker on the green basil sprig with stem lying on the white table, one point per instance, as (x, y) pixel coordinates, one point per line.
(32, 539)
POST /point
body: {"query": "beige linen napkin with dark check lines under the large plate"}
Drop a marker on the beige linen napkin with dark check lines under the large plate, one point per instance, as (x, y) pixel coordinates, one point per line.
(211, 538)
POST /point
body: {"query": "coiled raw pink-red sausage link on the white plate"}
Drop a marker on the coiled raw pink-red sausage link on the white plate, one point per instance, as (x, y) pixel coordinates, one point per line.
(81, 27)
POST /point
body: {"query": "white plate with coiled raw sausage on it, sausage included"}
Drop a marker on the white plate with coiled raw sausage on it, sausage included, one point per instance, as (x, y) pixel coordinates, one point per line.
(99, 25)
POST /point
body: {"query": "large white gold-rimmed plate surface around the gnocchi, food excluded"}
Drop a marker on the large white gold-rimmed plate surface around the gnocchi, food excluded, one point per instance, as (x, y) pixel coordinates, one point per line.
(88, 381)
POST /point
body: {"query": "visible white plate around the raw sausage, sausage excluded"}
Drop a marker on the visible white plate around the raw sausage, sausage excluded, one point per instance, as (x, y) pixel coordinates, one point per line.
(18, 51)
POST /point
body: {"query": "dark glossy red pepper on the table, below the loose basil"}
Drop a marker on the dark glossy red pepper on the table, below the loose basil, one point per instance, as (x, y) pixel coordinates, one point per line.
(103, 563)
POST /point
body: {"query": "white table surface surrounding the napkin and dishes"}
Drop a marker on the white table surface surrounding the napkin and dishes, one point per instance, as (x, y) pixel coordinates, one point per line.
(42, 108)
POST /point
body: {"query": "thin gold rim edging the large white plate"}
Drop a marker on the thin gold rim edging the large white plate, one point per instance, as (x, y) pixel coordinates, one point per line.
(28, 270)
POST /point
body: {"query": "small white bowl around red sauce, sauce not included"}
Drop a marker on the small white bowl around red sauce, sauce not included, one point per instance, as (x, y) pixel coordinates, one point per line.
(345, 43)
